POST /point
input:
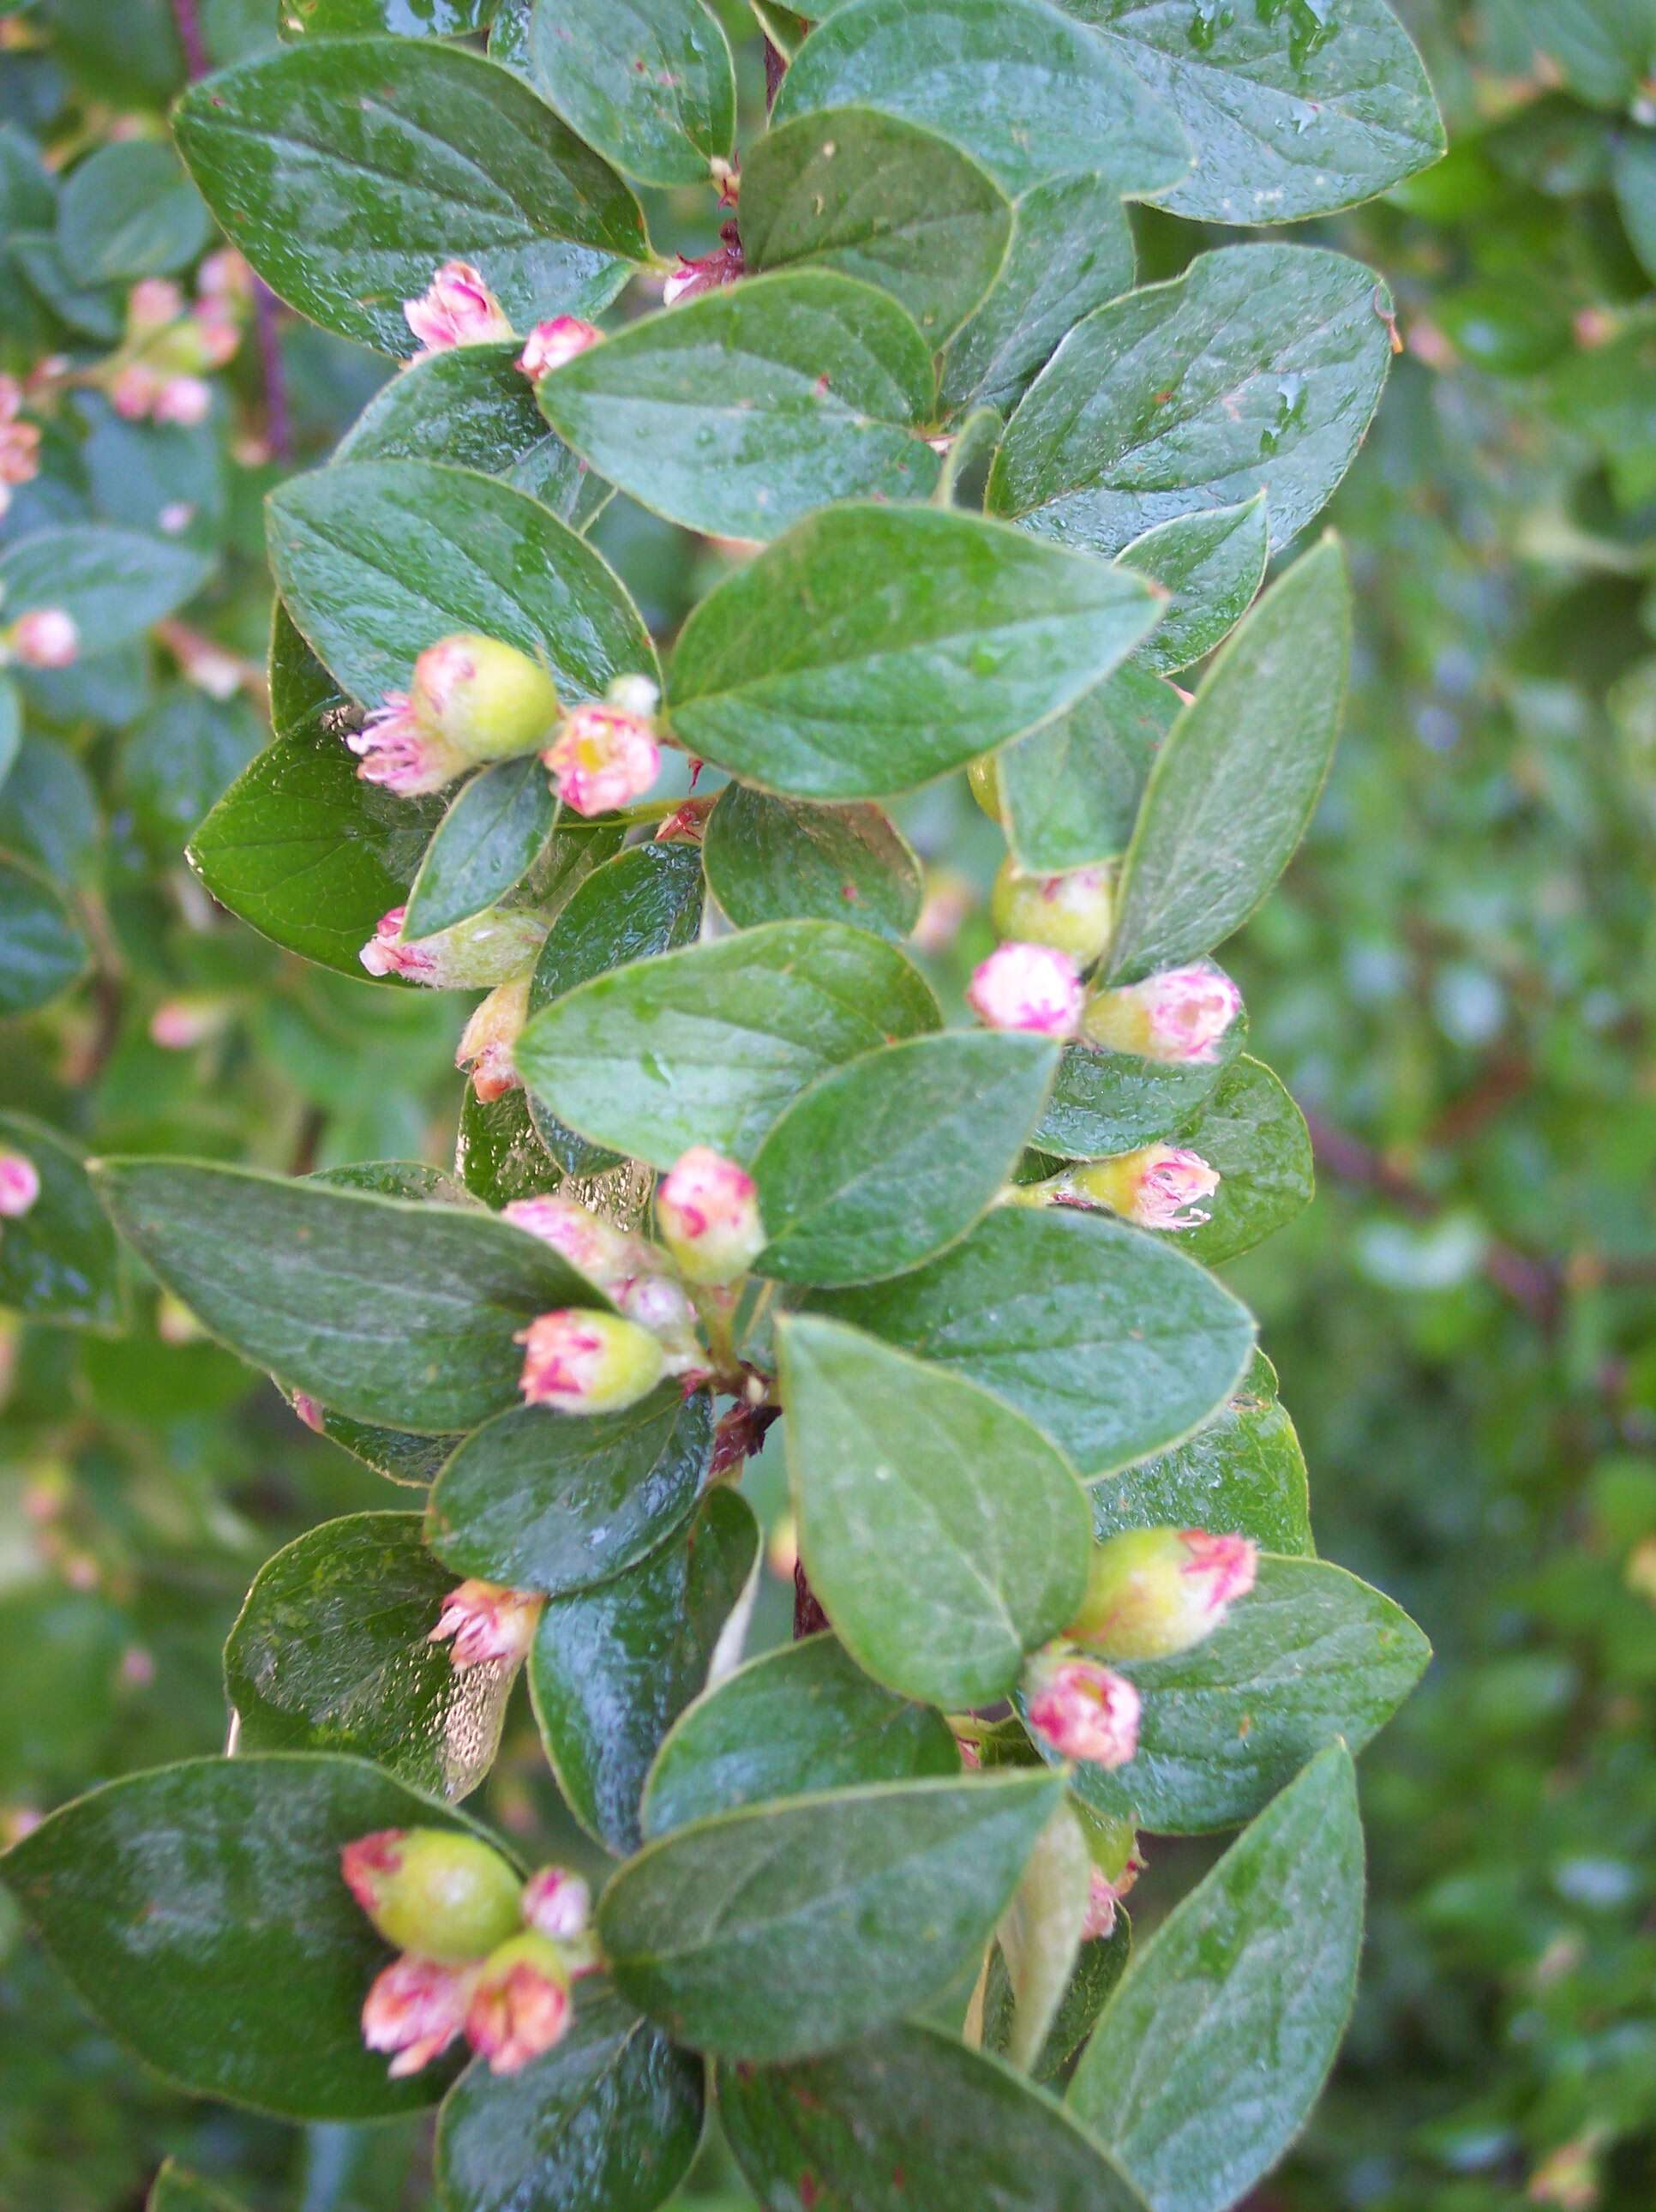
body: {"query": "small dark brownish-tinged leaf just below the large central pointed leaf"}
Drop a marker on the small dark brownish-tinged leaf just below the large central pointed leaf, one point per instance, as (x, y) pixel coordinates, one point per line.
(775, 859)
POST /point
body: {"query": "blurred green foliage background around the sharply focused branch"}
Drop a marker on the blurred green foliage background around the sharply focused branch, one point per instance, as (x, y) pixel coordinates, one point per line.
(1456, 981)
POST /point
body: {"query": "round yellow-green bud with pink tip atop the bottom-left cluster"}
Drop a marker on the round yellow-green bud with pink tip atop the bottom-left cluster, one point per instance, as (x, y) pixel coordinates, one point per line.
(434, 1892)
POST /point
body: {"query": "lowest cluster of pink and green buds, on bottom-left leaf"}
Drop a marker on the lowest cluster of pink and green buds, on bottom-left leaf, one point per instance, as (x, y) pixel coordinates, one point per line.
(481, 1954)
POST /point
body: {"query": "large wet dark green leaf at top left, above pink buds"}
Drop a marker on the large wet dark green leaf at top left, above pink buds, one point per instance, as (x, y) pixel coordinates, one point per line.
(350, 169)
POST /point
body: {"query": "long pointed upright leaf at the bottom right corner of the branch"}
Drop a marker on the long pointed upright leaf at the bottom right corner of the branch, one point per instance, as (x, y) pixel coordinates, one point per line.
(1259, 1959)
